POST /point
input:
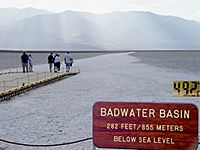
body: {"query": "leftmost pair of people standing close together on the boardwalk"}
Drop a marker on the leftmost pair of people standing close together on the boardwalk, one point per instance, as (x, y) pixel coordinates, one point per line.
(27, 63)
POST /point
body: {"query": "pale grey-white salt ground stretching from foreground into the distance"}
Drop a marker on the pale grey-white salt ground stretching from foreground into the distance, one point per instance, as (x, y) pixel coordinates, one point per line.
(62, 111)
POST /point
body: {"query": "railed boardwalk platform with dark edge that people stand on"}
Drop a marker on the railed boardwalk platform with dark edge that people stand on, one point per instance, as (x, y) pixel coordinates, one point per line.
(14, 83)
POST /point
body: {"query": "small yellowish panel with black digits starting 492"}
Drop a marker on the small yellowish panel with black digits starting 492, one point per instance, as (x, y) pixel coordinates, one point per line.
(186, 88)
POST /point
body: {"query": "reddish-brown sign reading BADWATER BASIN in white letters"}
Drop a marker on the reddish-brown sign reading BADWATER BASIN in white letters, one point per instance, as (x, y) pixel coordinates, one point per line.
(145, 125)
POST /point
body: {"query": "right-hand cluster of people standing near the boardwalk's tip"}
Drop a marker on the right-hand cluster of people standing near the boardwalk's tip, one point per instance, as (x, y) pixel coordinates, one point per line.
(56, 62)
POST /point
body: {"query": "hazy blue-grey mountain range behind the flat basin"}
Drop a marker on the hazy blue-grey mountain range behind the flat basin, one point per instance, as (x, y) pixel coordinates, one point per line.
(88, 31)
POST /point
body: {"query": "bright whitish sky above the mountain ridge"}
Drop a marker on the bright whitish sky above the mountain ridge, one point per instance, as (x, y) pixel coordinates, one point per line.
(189, 9)
